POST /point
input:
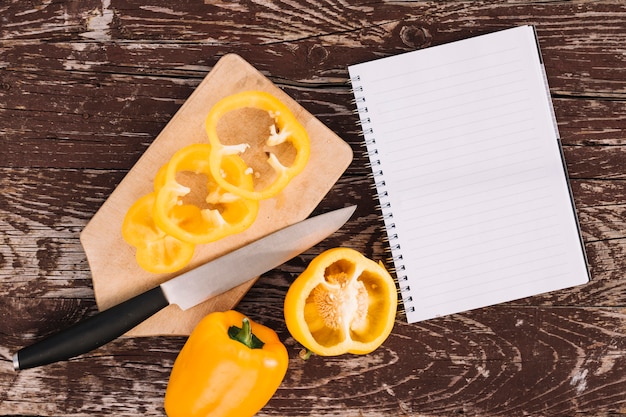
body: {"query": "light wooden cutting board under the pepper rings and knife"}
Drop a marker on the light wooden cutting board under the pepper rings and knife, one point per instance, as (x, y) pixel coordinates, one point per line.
(115, 273)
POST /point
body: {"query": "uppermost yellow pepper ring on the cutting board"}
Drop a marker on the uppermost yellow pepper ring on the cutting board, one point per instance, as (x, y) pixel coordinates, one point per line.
(285, 129)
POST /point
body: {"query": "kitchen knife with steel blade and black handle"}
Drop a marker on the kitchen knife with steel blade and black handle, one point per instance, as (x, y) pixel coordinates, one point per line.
(186, 290)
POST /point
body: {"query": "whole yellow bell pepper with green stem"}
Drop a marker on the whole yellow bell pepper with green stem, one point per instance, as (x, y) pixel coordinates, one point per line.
(224, 370)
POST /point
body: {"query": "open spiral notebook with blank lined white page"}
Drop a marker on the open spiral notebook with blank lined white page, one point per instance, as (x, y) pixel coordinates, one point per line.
(467, 161)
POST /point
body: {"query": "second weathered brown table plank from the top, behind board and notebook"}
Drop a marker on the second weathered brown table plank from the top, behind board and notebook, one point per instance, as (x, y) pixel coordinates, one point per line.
(44, 128)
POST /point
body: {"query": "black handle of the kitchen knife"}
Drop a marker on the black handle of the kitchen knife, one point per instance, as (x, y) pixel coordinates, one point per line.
(93, 332)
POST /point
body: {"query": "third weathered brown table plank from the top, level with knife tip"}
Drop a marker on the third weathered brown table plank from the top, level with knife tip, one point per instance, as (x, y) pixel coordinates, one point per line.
(41, 254)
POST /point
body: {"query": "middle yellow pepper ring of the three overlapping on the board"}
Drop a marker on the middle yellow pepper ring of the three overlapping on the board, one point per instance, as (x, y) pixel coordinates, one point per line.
(202, 212)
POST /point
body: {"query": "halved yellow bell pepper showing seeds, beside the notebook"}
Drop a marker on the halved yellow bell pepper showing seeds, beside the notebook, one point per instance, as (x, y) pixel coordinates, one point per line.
(342, 303)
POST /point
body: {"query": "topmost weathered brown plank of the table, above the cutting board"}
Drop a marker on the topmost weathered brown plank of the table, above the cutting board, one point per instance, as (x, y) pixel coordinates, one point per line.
(145, 37)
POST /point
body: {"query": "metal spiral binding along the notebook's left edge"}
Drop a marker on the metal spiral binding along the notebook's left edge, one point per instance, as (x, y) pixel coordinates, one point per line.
(379, 187)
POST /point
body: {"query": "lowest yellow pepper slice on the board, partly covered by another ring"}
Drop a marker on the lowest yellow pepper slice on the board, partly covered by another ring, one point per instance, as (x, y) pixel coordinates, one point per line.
(156, 251)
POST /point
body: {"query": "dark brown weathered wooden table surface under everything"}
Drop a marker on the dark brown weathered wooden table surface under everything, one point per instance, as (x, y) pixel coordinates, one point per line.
(86, 86)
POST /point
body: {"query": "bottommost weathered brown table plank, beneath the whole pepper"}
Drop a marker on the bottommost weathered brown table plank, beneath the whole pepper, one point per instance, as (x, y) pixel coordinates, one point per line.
(476, 363)
